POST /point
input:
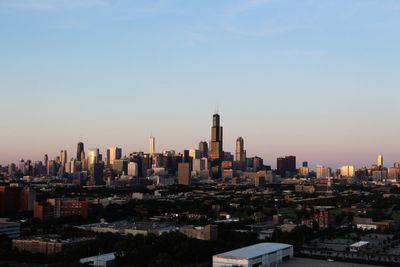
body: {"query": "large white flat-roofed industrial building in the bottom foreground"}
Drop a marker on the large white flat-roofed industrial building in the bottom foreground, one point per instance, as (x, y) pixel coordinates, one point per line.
(260, 255)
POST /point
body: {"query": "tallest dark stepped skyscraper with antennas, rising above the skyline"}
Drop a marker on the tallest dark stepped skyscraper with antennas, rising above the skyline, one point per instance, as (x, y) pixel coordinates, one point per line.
(216, 150)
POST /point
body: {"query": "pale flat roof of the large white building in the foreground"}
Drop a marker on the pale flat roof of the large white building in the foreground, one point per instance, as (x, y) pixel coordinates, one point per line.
(254, 251)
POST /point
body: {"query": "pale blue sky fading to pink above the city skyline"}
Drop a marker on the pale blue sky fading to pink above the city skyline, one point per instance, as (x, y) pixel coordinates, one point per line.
(318, 79)
